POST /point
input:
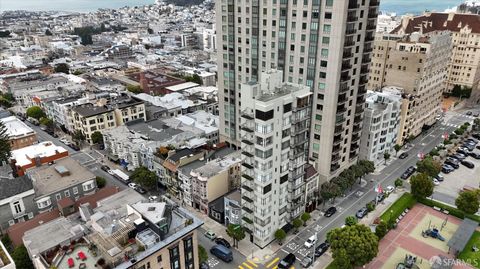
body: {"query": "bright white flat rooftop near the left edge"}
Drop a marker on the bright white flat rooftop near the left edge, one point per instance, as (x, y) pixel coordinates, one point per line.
(26, 155)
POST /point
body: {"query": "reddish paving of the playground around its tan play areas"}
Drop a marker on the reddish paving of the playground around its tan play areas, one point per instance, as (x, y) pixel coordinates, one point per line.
(400, 237)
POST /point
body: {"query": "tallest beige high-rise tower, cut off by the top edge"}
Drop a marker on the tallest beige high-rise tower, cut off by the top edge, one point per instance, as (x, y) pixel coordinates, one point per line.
(325, 45)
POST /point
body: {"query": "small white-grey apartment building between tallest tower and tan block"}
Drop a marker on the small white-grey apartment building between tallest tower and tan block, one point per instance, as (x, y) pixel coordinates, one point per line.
(380, 125)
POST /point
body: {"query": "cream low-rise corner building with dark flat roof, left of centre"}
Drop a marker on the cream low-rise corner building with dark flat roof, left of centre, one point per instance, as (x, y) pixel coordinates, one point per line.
(89, 118)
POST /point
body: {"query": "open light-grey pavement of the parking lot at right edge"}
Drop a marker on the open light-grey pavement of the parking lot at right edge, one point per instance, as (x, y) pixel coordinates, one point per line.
(455, 181)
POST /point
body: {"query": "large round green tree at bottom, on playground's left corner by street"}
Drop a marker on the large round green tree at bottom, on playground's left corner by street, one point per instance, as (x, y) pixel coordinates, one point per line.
(357, 244)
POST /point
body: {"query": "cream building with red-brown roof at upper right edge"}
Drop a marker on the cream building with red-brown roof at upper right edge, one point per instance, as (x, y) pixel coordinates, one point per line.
(463, 66)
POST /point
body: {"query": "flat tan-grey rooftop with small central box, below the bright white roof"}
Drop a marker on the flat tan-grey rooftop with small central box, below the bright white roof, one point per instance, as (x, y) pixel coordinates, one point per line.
(64, 173)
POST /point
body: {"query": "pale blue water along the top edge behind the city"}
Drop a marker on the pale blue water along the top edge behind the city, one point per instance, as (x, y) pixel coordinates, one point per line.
(398, 6)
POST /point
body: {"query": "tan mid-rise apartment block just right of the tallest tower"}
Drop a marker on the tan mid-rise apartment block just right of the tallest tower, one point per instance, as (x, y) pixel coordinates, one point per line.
(418, 64)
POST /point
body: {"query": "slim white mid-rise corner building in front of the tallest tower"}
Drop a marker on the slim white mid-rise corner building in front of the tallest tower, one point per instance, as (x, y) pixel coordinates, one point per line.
(275, 122)
